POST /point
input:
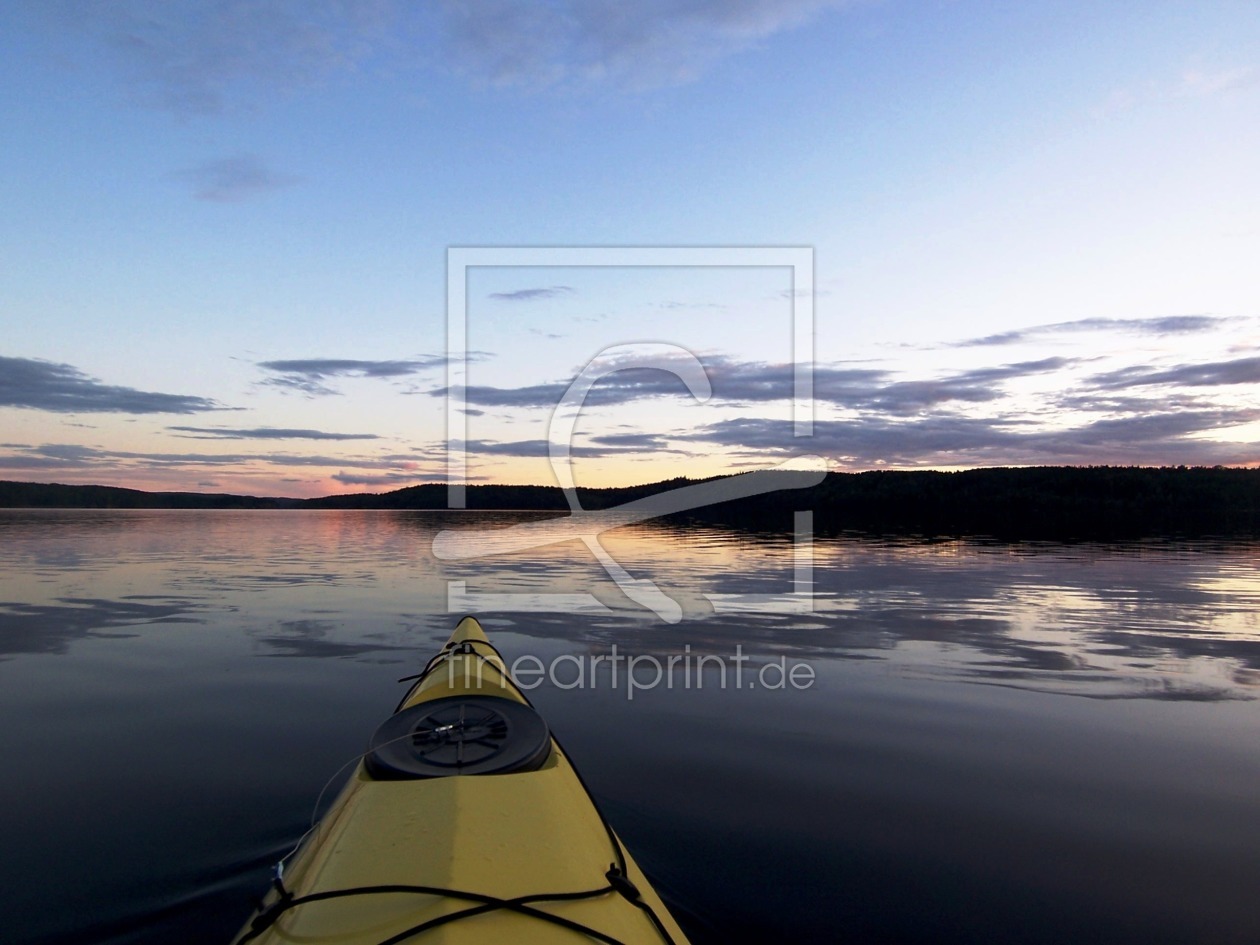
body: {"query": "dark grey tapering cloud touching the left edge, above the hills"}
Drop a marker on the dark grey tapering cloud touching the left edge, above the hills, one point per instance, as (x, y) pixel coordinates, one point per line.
(50, 386)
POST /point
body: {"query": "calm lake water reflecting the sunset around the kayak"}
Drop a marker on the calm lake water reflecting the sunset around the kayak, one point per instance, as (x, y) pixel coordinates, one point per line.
(999, 743)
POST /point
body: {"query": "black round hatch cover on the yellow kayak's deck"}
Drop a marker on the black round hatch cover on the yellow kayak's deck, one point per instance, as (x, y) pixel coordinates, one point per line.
(459, 735)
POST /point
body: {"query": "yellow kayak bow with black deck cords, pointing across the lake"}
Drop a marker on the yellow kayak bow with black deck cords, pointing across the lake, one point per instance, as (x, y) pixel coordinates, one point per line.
(492, 840)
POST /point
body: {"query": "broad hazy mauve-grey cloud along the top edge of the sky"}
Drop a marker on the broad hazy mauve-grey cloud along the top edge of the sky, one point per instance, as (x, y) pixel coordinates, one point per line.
(197, 60)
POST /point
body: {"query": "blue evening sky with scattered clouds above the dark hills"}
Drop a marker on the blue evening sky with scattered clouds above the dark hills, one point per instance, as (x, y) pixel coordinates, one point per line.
(1033, 231)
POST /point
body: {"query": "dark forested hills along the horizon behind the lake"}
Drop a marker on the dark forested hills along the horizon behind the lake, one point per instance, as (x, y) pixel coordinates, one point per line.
(1041, 502)
